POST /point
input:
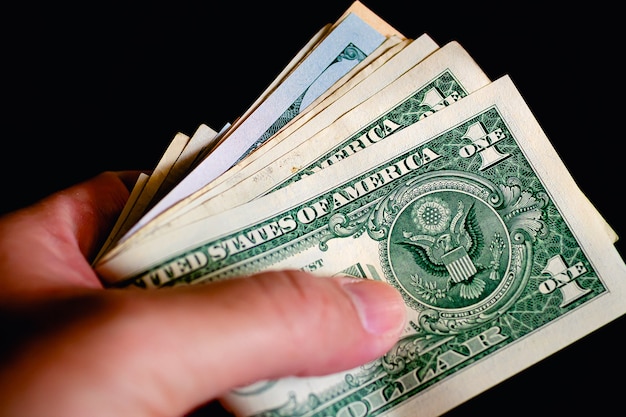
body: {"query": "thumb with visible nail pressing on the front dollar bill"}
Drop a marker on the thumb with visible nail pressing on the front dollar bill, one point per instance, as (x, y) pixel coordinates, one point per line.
(175, 349)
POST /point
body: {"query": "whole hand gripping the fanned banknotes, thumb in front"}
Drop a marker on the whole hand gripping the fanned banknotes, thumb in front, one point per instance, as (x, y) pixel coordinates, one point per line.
(72, 348)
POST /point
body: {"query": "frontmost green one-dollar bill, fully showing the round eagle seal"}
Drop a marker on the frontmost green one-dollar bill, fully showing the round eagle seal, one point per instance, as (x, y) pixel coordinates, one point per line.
(470, 214)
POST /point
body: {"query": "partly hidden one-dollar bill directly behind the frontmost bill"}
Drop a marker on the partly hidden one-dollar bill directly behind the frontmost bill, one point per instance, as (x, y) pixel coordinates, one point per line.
(444, 77)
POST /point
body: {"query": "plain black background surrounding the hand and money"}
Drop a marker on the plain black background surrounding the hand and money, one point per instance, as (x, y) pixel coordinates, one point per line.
(93, 88)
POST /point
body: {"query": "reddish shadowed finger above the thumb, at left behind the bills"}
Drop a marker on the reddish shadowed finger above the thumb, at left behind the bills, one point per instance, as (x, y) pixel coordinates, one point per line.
(47, 243)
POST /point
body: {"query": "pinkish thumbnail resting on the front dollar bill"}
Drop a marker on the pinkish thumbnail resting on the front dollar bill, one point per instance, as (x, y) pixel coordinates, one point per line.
(380, 306)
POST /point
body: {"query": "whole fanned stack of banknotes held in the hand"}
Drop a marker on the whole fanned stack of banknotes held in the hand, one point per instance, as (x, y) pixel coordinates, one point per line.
(382, 157)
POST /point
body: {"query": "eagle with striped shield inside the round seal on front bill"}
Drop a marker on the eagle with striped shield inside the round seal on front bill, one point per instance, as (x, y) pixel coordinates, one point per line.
(446, 243)
